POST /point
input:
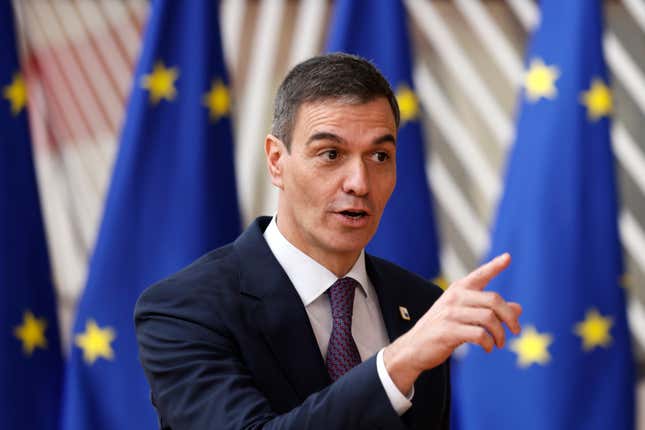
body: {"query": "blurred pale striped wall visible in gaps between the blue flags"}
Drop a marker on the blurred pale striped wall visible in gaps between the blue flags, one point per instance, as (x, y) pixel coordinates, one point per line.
(79, 57)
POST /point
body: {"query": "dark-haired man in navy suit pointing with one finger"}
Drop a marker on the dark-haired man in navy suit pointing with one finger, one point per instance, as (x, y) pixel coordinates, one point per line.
(293, 326)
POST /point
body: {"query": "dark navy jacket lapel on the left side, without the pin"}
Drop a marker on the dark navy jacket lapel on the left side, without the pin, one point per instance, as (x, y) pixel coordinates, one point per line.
(281, 316)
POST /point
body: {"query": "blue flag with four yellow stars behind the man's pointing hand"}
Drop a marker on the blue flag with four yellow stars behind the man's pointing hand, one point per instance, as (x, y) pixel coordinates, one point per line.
(571, 367)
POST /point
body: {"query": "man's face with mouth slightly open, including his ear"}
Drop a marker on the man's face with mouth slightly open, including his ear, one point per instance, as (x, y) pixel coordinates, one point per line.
(337, 177)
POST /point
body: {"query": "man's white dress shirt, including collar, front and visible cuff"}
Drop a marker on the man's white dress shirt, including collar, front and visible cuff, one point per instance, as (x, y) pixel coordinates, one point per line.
(311, 280)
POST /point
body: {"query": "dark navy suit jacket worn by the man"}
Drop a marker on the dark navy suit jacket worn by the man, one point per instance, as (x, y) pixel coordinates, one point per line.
(226, 344)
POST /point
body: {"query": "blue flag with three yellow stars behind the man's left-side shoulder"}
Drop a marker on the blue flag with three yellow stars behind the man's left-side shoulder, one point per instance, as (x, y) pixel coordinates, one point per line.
(172, 198)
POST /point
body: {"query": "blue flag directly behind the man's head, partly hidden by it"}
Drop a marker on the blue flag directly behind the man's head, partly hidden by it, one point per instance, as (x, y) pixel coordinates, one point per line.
(377, 30)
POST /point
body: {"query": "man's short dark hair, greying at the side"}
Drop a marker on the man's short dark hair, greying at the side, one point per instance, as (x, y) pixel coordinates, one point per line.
(345, 77)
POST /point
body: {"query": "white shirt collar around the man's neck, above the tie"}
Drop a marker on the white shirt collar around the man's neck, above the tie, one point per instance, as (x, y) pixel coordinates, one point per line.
(310, 278)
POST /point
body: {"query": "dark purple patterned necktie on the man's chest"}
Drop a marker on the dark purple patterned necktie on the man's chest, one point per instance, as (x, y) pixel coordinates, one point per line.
(342, 353)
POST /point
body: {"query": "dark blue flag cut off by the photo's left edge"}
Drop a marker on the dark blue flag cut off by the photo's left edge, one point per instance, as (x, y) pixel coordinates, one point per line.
(31, 364)
